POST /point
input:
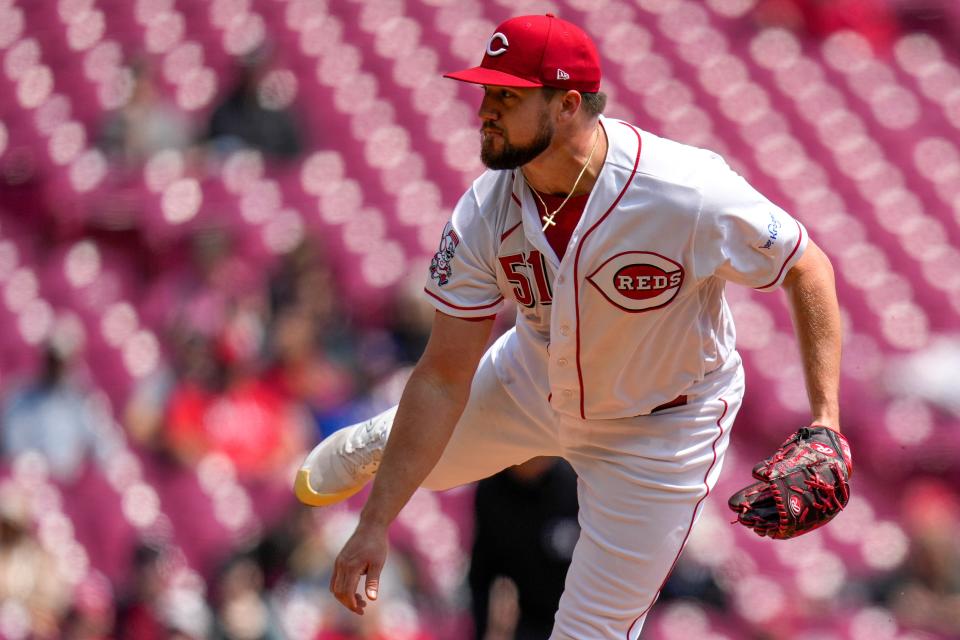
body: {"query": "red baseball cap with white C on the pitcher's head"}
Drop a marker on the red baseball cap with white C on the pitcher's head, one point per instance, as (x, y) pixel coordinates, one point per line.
(537, 51)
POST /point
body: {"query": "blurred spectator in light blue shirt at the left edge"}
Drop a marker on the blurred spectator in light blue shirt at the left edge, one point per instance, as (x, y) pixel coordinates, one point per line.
(55, 418)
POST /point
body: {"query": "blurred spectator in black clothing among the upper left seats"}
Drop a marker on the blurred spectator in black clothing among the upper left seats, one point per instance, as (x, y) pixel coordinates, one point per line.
(256, 115)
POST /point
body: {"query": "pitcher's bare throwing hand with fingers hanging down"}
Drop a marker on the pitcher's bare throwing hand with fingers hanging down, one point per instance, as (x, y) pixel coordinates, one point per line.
(364, 554)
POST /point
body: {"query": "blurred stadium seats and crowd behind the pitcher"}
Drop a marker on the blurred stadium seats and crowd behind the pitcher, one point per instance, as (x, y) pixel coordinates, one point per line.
(216, 217)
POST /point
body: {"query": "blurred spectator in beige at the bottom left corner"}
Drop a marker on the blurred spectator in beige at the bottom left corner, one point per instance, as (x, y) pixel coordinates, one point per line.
(30, 581)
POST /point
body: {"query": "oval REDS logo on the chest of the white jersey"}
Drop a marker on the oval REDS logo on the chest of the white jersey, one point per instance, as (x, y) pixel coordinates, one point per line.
(638, 281)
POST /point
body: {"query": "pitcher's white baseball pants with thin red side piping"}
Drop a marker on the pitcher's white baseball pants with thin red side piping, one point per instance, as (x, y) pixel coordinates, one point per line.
(642, 482)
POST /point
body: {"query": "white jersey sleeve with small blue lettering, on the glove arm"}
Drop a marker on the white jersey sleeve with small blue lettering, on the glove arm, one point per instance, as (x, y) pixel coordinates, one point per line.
(741, 235)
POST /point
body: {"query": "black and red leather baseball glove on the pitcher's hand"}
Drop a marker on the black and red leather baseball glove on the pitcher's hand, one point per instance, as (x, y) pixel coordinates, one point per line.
(801, 487)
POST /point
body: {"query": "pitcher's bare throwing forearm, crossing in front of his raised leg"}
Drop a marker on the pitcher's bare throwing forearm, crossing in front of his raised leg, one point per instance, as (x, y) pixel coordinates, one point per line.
(425, 420)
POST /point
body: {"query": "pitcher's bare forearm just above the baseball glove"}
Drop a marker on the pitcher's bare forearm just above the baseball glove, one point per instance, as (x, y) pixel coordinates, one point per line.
(816, 317)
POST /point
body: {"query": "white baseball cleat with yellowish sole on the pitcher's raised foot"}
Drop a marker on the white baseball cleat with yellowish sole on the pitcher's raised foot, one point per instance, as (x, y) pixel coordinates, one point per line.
(343, 462)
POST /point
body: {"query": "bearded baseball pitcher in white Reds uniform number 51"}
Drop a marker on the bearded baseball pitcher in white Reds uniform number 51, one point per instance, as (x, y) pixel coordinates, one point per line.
(616, 246)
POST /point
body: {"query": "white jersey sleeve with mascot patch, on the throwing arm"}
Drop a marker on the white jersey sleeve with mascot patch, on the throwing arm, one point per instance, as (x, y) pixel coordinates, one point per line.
(463, 280)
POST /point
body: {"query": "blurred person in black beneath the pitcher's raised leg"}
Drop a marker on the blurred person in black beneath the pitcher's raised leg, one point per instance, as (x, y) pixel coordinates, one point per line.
(525, 531)
